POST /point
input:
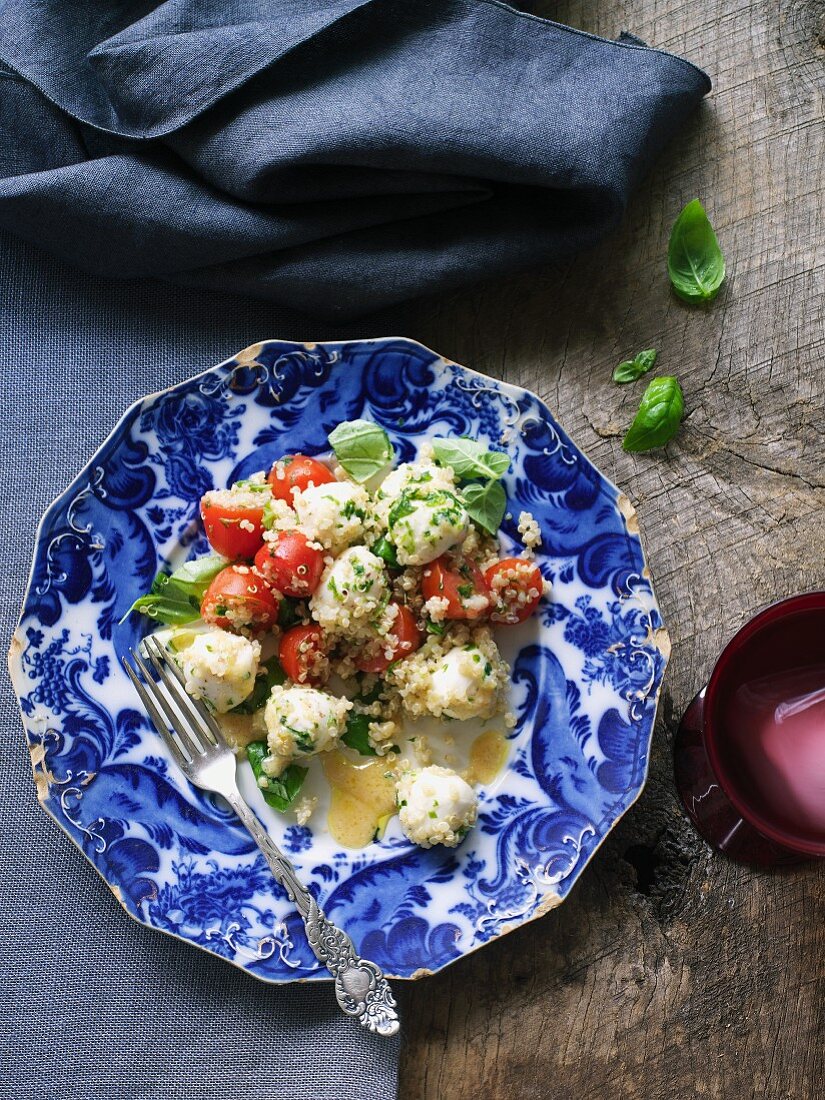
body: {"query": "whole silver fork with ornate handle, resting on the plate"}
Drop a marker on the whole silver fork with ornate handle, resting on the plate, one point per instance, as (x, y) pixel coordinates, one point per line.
(196, 742)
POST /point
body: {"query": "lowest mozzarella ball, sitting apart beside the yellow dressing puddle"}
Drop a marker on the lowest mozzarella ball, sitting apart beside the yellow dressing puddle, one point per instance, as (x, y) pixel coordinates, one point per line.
(436, 807)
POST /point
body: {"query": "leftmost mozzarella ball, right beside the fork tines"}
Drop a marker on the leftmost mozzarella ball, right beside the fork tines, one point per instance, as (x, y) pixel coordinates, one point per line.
(221, 668)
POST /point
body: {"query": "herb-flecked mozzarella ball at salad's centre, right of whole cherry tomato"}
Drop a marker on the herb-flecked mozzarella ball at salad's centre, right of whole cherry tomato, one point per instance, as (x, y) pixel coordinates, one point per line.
(354, 591)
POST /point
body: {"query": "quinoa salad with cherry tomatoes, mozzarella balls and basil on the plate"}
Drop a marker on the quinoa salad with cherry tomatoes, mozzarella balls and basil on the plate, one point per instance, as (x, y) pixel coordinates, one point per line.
(346, 631)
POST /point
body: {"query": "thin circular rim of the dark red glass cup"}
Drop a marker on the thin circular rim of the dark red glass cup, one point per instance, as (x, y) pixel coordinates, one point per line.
(801, 602)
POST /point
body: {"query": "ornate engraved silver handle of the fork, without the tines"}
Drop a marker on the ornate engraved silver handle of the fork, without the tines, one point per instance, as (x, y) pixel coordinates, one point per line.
(361, 988)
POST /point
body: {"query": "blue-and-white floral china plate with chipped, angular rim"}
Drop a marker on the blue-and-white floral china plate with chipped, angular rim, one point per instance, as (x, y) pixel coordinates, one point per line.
(587, 677)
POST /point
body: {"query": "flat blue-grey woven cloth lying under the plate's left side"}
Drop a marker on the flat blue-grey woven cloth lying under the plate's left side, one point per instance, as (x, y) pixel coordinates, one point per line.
(94, 1006)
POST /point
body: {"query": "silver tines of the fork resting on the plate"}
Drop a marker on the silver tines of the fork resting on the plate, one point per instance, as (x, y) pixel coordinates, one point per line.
(183, 722)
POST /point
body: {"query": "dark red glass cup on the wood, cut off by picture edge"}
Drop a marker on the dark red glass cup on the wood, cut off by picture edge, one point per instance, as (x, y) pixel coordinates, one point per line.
(750, 755)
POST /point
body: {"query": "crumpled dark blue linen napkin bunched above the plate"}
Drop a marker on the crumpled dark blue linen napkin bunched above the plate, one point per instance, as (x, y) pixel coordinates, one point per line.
(333, 156)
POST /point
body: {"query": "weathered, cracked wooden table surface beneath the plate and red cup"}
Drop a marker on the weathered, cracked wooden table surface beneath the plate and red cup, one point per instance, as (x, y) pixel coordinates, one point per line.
(672, 973)
